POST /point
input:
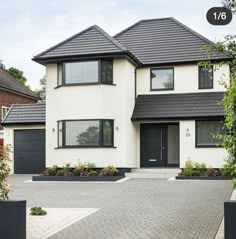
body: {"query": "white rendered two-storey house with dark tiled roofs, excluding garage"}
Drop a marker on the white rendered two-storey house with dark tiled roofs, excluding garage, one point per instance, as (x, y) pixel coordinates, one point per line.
(136, 100)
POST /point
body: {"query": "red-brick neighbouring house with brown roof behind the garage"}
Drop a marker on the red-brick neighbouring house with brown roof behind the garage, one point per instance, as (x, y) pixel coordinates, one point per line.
(12, 92)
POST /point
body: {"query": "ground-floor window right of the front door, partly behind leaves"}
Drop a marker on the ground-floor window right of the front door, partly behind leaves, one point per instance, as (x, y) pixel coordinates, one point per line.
(206, 132)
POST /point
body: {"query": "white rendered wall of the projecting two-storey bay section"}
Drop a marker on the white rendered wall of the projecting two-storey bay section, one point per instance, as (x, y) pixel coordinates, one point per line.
(93, 102)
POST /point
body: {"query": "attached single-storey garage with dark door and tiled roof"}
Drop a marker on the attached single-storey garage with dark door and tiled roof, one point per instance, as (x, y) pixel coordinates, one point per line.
(24, 132)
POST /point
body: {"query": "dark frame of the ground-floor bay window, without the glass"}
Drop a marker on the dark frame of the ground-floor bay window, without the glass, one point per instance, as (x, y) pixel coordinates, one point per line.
(101, 143)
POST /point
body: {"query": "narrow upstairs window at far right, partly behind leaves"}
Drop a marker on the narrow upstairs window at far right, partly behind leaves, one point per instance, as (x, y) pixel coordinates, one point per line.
(205, 77)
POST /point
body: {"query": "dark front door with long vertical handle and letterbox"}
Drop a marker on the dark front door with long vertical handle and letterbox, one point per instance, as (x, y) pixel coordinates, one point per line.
(152, 143)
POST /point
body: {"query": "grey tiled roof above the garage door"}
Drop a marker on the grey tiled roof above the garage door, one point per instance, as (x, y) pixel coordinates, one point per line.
(26, 113)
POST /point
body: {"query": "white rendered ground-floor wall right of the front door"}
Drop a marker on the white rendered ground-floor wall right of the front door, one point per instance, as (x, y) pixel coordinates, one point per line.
(213, 157)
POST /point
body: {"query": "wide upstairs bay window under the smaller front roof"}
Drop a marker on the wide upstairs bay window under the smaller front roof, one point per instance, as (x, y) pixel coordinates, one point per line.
(86, 72)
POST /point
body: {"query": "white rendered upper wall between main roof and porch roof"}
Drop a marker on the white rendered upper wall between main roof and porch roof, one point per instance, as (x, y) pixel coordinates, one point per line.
(185, 80)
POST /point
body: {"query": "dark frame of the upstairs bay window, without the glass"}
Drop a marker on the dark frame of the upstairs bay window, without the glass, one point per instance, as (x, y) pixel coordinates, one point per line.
(99, 82)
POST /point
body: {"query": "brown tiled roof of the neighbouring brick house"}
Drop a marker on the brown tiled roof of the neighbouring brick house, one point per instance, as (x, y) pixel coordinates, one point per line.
(8, 82)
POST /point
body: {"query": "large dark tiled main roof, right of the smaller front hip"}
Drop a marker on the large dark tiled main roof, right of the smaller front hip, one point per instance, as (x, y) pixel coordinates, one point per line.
(166, 40)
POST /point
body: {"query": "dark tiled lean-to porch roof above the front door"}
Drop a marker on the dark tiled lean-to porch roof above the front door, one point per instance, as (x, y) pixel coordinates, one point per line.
(178, 106)
